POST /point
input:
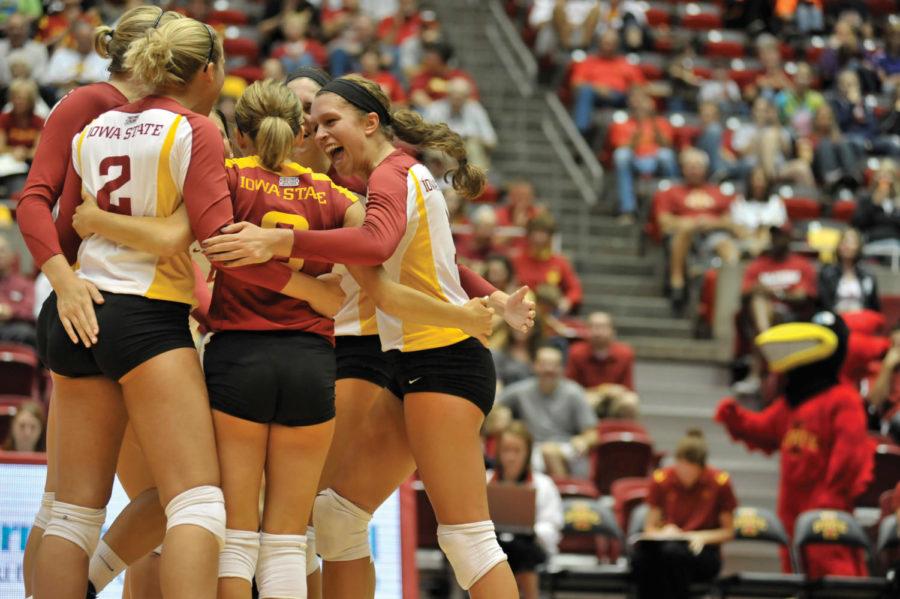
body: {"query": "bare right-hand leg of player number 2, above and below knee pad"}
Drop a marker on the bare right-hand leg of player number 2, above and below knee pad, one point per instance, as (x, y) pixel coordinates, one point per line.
(167, 394)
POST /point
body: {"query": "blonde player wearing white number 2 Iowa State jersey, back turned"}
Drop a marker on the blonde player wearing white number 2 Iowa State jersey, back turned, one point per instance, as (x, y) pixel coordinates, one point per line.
(144, 158)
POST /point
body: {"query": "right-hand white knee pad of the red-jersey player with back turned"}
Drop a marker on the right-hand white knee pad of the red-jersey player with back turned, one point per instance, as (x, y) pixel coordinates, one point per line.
(281, 571)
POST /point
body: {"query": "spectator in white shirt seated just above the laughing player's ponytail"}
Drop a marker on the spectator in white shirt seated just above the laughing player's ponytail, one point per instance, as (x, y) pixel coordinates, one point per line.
(467, 117)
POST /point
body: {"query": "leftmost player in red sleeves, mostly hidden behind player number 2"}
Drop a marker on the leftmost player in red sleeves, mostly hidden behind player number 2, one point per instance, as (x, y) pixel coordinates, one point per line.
(53, 247)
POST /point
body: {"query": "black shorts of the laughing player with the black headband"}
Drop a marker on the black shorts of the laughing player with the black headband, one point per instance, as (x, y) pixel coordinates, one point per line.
(464, 369)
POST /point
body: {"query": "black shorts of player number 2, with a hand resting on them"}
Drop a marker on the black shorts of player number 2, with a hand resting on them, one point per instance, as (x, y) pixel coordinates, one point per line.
(133, 329)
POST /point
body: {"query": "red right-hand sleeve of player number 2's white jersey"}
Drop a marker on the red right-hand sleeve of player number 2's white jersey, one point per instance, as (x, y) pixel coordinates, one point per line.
(208, 201)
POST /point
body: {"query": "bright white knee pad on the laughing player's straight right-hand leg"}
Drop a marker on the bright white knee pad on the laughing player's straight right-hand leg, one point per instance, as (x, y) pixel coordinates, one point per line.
(471, 549)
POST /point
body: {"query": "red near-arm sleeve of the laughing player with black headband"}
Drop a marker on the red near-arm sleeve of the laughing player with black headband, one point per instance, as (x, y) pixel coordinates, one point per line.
(372, 243)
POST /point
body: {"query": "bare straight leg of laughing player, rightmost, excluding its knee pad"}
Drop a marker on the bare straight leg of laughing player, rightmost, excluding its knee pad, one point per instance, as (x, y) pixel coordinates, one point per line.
(444, 437)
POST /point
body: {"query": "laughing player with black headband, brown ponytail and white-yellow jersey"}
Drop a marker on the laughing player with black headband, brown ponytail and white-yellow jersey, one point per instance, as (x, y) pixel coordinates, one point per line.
(406, 228)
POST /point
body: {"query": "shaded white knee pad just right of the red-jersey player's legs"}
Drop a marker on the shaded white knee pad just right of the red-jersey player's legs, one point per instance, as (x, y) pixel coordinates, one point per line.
(343, 528)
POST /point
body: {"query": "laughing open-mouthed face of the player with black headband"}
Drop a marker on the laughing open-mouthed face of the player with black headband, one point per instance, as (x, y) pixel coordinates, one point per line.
(342, 134)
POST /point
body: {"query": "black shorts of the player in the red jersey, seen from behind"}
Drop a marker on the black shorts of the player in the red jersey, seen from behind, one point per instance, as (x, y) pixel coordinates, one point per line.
(271, 377)
